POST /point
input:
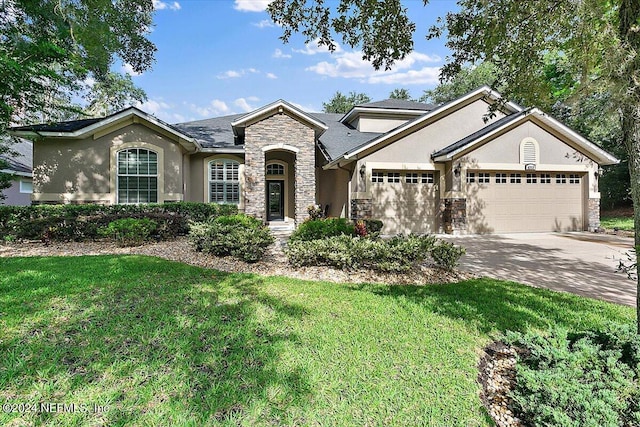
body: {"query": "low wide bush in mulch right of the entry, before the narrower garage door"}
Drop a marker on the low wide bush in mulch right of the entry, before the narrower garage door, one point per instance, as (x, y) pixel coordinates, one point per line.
(348, 252)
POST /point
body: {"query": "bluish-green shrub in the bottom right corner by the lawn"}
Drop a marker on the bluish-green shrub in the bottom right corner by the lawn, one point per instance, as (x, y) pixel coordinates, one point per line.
(584, 379)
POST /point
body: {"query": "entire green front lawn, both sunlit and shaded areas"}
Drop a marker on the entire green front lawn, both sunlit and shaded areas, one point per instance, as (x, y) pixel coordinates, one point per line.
(162, 343)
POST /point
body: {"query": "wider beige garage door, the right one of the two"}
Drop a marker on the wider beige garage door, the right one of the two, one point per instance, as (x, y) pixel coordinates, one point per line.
(508, 202)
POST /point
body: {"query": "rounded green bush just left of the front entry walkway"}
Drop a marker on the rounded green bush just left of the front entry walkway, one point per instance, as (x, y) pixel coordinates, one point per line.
(240, 236)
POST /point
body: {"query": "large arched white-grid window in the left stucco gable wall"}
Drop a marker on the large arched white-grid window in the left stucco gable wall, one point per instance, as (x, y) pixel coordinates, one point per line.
(137, 176)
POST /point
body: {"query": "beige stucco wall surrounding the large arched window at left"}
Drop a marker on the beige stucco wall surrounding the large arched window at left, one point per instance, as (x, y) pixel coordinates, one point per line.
(67, 170)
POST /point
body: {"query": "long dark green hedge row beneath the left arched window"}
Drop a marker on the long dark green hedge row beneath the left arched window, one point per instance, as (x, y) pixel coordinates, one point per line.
(82, 222)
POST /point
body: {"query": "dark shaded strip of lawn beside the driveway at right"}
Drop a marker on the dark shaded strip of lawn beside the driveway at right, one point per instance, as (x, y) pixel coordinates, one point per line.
(495, 306)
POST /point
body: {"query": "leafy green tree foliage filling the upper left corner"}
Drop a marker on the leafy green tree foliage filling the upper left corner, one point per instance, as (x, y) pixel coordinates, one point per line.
(48, 48)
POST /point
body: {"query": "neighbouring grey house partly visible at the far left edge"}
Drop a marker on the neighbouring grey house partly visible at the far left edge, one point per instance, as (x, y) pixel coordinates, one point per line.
(18, 165)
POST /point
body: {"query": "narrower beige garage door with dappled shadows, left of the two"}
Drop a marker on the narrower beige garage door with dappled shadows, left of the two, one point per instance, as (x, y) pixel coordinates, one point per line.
(405, 201)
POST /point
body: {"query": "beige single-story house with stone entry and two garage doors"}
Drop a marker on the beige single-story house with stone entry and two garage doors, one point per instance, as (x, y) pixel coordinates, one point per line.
(417, 167)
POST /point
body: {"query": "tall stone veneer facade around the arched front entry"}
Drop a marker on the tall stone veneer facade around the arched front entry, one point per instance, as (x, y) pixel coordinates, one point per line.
(279, 129)
